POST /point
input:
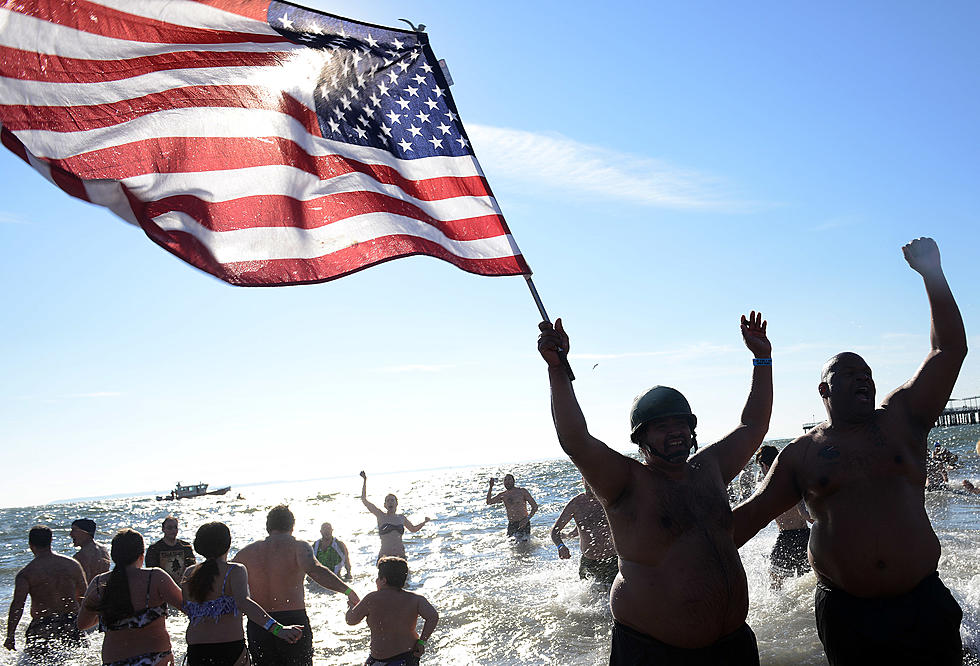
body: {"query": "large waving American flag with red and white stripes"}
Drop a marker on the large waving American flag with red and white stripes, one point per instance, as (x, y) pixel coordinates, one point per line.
(262, 142)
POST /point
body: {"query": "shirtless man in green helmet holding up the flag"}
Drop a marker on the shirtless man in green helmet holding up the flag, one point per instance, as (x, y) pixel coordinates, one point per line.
(681, 592)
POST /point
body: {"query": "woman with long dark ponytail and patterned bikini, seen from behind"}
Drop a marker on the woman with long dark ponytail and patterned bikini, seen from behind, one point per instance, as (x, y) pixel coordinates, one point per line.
(132, 637)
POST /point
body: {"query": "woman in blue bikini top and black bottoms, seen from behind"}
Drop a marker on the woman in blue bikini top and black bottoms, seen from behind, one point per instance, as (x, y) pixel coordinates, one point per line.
(215, 596)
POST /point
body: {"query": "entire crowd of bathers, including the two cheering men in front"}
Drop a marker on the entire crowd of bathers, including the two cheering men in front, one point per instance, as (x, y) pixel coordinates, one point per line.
(847, 498)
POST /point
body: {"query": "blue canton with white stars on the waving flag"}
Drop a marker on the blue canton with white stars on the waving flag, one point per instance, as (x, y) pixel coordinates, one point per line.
(378, 87)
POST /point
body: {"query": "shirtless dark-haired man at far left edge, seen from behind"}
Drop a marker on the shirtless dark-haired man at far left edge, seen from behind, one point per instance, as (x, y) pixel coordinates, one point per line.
(55, 584)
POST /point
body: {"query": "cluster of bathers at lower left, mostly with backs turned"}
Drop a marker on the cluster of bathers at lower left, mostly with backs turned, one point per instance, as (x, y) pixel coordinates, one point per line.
(117, 590)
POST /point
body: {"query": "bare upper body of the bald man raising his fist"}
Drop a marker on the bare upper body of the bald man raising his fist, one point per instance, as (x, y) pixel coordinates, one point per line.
(863, 471)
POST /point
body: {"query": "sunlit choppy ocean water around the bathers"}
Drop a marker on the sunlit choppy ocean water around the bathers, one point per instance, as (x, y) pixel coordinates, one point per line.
(499, 603)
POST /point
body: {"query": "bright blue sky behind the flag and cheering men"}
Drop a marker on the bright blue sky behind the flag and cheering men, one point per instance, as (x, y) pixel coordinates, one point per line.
(664, 167)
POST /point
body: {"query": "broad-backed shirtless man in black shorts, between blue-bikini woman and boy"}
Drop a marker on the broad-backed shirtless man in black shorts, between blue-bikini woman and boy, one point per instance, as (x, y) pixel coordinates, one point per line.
(277, 567)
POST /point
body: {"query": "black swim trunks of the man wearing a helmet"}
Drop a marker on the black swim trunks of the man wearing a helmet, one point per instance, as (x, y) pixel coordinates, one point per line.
(632, 648)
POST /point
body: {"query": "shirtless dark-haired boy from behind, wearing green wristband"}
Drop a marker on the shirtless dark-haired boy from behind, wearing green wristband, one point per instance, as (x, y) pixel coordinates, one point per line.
(392, 614)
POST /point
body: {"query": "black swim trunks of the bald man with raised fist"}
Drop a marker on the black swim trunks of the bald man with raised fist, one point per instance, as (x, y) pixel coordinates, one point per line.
(920, 627)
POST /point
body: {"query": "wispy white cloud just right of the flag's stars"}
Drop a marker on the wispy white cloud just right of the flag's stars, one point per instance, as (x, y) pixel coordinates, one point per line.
(553, 161)
